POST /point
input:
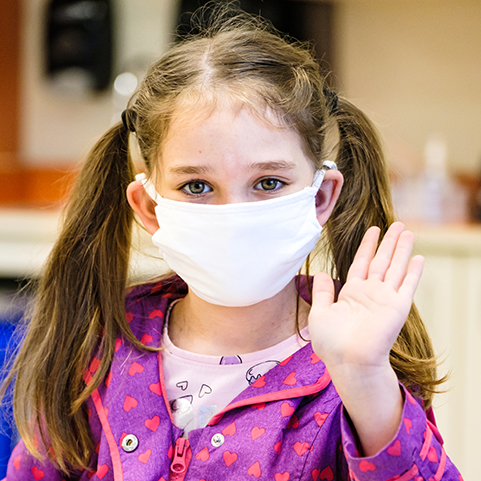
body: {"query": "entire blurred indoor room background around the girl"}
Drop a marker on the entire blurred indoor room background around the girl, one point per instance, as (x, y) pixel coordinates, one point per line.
(68, 68)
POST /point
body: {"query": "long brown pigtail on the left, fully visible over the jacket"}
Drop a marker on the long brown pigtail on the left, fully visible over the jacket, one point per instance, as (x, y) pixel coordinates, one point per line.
(79, 308)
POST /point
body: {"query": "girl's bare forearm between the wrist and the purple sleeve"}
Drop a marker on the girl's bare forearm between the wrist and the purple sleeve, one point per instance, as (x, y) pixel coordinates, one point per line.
(374, 402)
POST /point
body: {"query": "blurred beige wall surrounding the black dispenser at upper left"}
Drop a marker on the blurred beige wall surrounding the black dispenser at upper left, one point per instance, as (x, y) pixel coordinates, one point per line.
(58, 129)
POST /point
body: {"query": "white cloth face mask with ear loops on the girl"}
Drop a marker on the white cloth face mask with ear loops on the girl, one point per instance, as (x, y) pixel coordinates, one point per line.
(238, 254)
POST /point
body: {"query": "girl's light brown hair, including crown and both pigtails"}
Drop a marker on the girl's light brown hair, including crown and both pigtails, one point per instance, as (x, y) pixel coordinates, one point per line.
(79, 308)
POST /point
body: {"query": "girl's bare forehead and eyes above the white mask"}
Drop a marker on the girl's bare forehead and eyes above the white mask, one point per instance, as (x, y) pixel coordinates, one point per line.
(231, 157)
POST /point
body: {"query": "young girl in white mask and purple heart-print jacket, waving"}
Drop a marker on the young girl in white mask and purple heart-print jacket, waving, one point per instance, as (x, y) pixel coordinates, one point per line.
(233, 367)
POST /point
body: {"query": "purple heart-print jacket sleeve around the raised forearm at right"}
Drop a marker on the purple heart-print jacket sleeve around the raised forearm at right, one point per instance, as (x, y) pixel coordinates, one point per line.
(416, 452)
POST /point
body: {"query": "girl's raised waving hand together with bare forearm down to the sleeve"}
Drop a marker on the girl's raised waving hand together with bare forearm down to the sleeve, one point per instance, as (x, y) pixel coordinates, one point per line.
(354, 335)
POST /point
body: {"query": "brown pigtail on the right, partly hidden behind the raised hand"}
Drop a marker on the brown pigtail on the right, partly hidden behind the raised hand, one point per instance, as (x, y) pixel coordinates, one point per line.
(365, 200)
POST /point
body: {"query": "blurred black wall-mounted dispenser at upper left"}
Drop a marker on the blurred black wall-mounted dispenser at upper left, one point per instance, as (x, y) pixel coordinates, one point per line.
(79, 44)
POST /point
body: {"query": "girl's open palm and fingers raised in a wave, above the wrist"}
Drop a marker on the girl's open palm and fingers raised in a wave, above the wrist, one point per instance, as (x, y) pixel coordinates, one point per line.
(361, 327)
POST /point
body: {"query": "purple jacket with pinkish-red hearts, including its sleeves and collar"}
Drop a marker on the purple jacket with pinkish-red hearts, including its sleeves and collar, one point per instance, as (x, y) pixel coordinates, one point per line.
(288, 425)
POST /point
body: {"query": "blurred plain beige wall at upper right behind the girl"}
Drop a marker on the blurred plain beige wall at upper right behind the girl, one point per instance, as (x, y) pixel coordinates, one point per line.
(415, 67)
